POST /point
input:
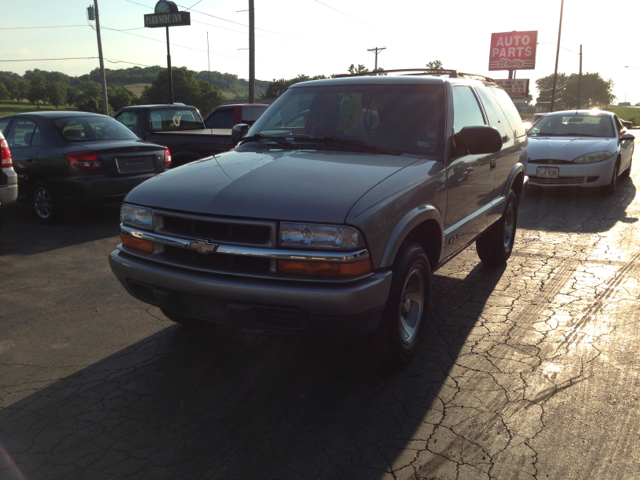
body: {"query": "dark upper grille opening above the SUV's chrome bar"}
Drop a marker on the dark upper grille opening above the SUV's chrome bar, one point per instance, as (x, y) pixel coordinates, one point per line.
(219, 230)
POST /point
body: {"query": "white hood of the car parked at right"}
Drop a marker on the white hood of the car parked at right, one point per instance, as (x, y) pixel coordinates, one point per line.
(567, 148)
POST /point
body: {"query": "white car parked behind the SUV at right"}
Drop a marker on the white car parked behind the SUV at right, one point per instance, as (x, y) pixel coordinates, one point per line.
(585, 148)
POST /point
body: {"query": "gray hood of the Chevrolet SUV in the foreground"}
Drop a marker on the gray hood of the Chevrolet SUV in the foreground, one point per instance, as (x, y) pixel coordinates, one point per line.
(312, 186)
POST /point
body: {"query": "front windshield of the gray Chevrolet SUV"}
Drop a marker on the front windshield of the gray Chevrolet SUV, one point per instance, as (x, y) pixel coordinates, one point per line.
(390, 118)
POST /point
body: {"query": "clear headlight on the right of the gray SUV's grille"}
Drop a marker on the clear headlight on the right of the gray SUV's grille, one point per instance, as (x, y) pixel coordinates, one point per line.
(304, 235)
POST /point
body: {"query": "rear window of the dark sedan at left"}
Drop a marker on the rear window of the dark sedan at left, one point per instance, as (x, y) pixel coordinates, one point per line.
(91, 128)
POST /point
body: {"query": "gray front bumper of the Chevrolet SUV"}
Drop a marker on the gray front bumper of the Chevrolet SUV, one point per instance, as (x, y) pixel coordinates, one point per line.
(347, 308)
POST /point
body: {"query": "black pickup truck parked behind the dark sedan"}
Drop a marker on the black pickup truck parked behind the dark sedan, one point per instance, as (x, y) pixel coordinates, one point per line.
(177, 126)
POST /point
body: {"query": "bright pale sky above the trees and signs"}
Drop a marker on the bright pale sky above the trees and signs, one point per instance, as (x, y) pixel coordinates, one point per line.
(315, 37)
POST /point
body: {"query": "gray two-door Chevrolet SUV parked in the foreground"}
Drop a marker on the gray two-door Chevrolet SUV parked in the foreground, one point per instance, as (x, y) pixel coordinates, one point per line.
(334, 209)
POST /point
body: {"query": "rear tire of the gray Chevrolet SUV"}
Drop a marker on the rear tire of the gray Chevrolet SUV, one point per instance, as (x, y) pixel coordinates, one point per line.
(495, 245)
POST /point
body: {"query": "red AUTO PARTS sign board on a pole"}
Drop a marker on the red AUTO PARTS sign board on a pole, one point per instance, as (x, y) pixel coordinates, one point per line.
(513, 51)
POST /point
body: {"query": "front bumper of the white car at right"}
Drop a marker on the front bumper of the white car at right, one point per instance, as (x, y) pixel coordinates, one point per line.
(586, 175)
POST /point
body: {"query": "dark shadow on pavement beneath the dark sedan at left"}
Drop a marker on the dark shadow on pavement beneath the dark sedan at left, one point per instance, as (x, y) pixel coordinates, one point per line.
(22, 234)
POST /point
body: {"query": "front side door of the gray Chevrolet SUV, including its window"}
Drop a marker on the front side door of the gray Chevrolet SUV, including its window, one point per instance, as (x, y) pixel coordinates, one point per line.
(470, 178)
